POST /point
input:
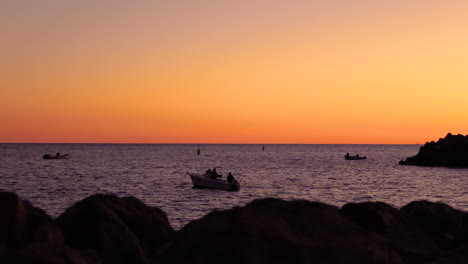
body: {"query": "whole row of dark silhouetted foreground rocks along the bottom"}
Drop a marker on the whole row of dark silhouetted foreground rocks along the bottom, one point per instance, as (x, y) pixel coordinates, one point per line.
(110, 229)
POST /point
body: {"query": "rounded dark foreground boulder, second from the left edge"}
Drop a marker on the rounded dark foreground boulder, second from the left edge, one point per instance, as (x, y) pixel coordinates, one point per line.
(120, 230)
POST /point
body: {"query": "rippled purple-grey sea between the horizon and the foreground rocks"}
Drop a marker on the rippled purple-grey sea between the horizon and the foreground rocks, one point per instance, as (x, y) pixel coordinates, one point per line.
(156, 174)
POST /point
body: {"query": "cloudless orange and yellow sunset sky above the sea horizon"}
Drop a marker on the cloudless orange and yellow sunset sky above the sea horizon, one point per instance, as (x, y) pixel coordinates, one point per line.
(241, 71)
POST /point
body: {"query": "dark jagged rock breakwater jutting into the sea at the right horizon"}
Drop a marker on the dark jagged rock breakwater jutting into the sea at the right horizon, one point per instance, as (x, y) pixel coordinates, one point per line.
(451, 151)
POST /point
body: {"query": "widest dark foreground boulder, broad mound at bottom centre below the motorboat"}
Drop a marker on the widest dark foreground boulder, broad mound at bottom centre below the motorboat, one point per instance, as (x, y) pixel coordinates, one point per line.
(277, 231)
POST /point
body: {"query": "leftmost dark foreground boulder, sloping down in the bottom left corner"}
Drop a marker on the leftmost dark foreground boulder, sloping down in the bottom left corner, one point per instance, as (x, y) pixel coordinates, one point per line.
(28, 235)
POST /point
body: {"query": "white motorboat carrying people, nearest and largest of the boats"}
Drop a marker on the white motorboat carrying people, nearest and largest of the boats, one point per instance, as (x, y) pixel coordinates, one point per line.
(212, 180)
